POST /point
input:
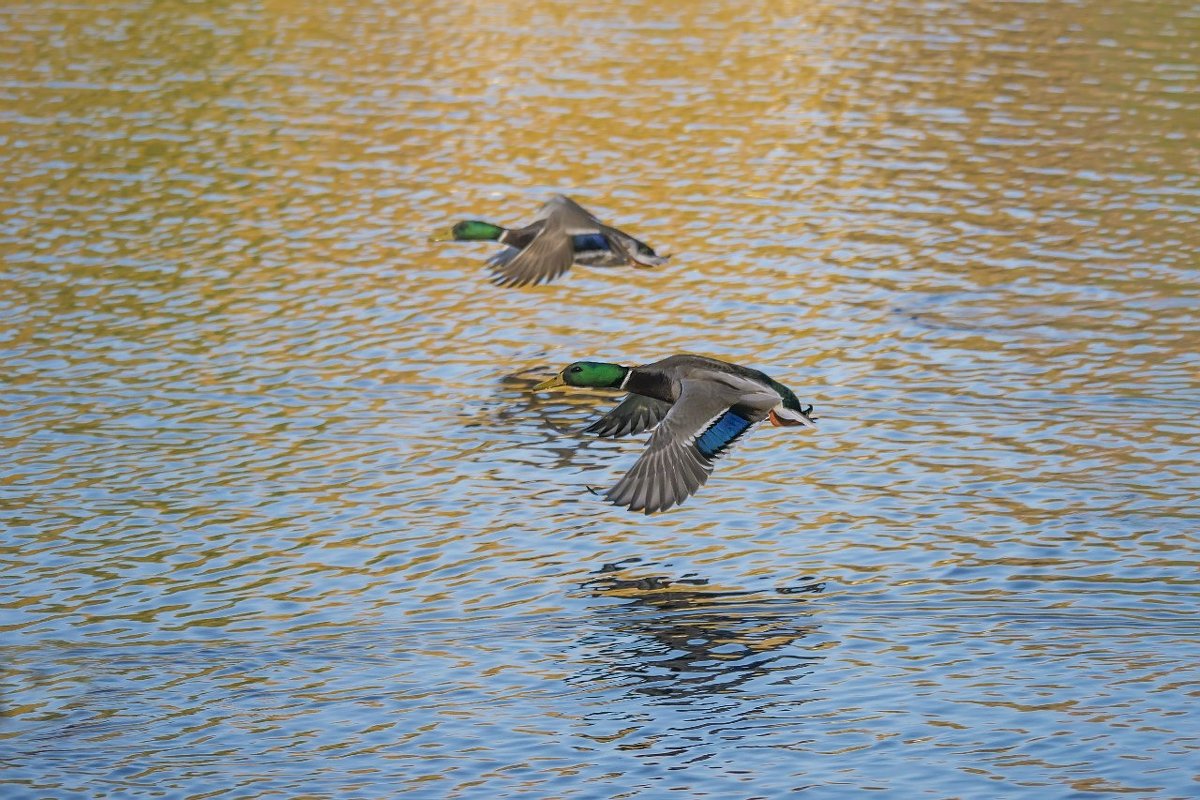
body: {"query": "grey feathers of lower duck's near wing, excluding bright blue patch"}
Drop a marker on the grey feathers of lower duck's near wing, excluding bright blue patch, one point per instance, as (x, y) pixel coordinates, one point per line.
(671, 468)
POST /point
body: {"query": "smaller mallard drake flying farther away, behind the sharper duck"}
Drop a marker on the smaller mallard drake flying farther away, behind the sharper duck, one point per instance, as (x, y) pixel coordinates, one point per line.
(562, 234)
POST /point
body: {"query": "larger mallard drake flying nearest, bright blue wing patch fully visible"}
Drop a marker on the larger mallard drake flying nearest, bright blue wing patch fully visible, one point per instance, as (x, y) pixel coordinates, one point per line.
(701, 407)
